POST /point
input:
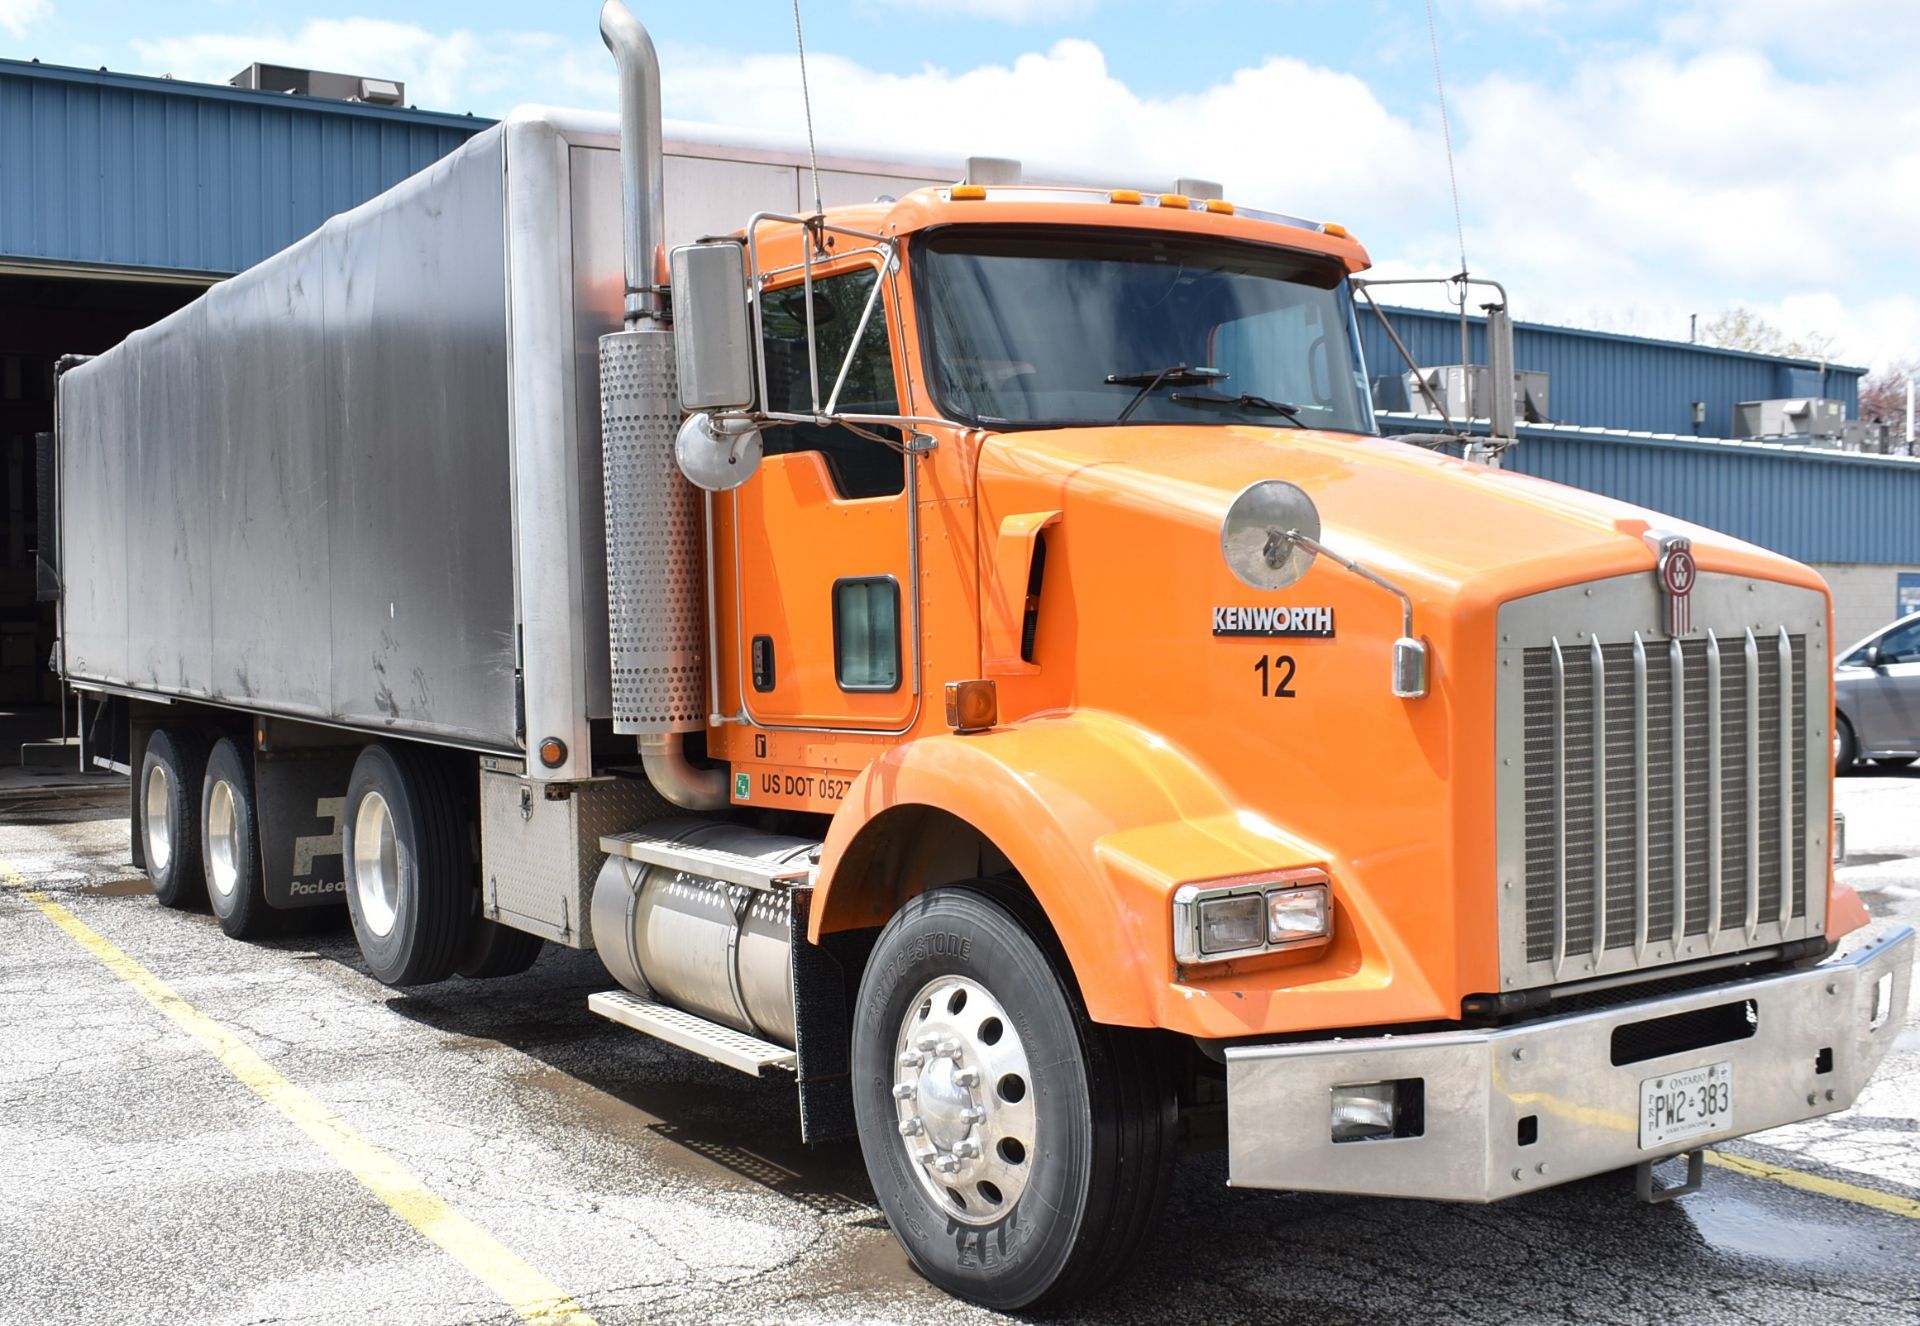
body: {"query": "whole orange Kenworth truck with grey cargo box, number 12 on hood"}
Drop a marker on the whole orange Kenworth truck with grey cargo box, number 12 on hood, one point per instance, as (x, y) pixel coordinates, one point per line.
(974, 655)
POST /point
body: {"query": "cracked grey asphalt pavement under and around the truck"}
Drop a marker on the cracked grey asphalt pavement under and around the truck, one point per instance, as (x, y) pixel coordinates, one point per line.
(245, 1152)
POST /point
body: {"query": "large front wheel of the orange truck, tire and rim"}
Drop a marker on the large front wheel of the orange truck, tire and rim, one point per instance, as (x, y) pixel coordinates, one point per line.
(1019, 1150)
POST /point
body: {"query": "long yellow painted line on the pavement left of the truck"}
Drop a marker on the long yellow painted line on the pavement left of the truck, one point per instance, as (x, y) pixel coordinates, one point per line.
(519, 1285)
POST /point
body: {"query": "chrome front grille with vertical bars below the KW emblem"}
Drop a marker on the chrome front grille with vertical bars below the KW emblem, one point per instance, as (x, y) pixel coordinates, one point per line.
(1660, 786)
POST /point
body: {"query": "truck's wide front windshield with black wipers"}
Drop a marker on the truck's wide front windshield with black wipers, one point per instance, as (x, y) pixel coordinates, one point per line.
(1042, 327)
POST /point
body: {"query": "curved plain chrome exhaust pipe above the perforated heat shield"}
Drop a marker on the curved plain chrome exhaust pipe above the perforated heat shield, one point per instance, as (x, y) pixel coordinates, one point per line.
(642, 191)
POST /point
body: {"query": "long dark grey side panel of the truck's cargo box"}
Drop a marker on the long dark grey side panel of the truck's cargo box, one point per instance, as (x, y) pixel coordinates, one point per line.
(295, 494)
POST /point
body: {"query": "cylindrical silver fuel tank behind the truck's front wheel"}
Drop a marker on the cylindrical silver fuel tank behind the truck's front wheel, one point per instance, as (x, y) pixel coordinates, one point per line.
(704, 945)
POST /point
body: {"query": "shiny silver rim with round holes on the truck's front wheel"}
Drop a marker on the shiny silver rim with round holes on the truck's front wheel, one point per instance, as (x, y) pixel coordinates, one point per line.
(963, 1095)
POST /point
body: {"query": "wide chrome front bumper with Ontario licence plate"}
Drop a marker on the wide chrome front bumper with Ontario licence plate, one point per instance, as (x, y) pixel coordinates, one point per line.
(1481, 1085)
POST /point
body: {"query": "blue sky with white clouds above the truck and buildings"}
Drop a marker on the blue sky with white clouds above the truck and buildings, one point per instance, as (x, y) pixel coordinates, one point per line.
(1621, 164)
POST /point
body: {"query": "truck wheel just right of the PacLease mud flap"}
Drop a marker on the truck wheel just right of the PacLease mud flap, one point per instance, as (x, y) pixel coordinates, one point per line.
(410, 878)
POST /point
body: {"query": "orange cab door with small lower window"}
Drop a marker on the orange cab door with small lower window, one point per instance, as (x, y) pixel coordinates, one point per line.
(825, 529)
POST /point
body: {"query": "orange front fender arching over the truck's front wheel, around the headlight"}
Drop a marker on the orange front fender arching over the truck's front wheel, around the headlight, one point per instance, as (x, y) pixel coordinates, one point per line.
(1105, 820)
